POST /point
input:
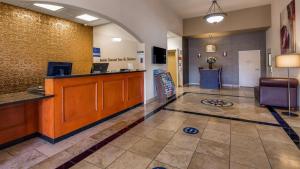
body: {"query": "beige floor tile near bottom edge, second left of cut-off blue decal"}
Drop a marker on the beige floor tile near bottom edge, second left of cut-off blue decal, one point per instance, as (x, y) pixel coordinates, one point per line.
(105, 156)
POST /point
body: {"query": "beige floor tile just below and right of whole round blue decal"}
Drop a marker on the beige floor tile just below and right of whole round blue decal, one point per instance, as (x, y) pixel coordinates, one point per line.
(212, 148)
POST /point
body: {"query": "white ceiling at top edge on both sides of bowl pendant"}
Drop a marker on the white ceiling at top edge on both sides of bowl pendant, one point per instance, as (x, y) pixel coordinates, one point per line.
(194, 8)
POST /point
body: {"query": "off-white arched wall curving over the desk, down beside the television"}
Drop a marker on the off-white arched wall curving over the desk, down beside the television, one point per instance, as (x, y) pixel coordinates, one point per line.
(148, 20)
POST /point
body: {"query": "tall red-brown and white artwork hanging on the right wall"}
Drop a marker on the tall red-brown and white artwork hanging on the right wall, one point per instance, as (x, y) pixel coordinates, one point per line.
(288, 29)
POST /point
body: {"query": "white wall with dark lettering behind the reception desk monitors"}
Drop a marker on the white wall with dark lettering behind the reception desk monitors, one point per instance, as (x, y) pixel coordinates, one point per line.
(128, 47)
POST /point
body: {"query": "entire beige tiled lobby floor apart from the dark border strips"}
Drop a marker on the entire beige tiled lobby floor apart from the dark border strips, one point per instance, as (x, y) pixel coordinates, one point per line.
(159, 141)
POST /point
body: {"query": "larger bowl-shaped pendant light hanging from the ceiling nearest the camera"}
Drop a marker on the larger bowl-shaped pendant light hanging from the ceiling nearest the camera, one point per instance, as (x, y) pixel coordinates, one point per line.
(215, 14)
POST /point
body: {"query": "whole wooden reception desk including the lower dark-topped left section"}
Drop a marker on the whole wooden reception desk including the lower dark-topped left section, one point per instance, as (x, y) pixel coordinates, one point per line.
(69, 105)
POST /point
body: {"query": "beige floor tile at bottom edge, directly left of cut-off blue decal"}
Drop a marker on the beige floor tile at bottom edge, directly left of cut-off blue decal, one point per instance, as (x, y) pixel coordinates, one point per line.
(130, 160)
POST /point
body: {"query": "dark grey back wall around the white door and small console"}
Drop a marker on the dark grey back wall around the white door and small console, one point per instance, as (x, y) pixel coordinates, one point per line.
(232, 44)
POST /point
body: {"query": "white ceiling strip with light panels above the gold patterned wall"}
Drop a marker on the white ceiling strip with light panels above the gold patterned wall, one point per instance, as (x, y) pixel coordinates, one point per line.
(68, 12)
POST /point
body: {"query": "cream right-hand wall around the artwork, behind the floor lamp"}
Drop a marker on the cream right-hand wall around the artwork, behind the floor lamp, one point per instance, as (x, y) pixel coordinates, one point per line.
(273, 36)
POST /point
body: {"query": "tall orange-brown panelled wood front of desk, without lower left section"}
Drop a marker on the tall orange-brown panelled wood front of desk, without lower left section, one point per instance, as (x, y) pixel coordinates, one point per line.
(85, 99)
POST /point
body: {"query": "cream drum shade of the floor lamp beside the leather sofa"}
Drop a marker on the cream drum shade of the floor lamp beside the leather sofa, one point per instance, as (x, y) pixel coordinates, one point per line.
(288, 60)
